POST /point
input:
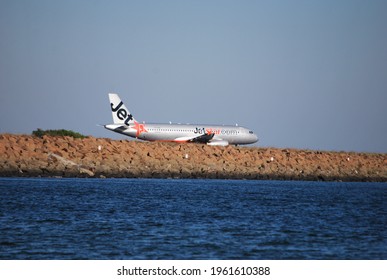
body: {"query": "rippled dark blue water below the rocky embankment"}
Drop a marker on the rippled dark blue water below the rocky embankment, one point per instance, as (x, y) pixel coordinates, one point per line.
(191, 219)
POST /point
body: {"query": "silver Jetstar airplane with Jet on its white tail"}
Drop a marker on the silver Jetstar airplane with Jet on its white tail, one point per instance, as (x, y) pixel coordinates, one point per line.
(214, 135)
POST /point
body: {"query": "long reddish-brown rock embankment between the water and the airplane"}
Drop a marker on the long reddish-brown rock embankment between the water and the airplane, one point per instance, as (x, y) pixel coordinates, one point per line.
(27, 156)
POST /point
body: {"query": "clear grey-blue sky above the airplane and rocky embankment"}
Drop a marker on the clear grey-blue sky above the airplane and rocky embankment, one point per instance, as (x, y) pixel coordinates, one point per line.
(301, 74)
